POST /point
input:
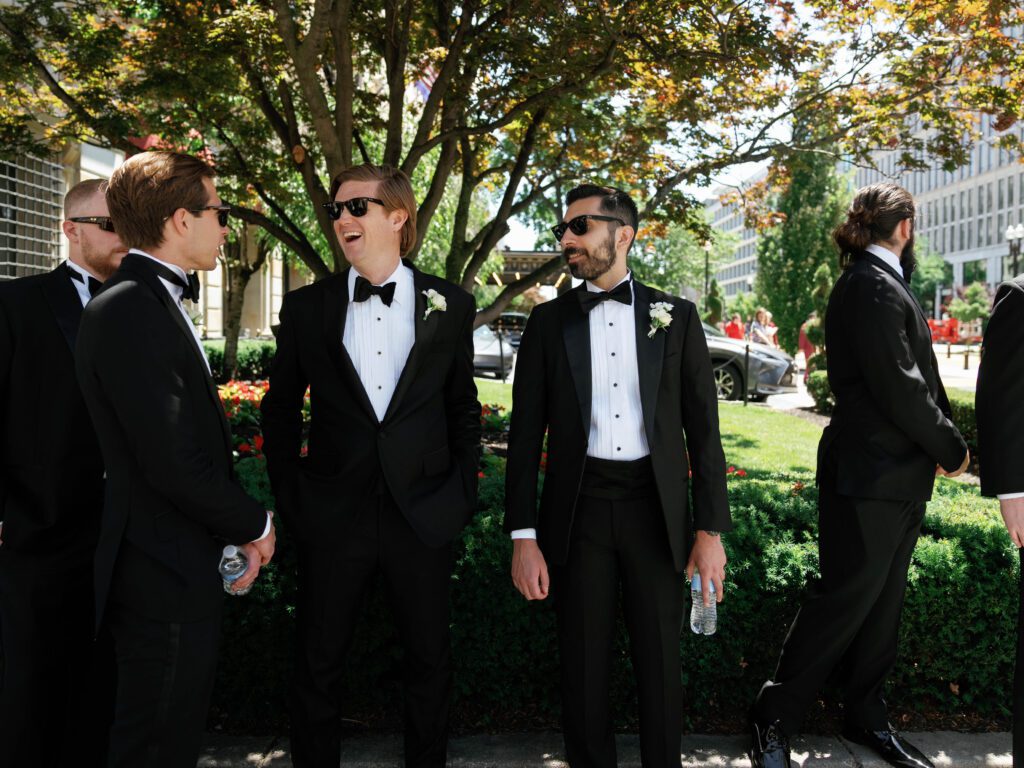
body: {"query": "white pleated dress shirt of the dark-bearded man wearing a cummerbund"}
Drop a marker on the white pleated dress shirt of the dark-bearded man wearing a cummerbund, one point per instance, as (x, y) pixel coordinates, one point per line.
(617, 431)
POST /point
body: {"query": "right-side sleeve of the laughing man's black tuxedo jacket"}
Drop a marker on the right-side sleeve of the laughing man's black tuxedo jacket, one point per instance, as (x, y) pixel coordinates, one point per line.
(462, 406)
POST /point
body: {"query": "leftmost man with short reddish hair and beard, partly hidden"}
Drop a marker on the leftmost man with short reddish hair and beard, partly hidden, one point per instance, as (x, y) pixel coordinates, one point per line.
(56, 684)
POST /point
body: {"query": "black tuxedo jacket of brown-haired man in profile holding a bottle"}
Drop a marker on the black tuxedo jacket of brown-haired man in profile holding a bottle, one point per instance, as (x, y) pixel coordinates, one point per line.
(172, 501)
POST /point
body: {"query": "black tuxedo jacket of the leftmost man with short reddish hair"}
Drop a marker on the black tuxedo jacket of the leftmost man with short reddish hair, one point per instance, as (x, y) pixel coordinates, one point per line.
(52, 475)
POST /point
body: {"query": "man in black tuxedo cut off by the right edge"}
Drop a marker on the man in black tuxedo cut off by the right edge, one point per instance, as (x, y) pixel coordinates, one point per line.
(1001, 445)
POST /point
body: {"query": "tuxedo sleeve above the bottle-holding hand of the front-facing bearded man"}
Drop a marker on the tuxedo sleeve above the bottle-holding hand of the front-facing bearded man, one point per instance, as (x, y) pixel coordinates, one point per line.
(700, 409)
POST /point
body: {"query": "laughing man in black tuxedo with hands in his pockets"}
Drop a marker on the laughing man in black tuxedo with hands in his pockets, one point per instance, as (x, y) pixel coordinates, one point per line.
(391, 477)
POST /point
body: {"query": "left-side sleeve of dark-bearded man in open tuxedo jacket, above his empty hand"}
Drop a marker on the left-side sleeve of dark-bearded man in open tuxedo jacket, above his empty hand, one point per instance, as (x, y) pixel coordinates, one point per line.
(529, 423)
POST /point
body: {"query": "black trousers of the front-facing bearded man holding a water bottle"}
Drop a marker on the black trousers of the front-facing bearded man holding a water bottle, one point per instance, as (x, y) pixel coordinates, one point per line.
(620, 545)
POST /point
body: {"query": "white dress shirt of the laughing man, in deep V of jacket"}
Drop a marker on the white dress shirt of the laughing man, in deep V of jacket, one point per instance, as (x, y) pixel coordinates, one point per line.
(379, 338)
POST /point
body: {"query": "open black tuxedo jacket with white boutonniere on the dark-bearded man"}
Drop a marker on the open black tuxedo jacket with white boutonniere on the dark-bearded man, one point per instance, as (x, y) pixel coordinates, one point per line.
(552, 393)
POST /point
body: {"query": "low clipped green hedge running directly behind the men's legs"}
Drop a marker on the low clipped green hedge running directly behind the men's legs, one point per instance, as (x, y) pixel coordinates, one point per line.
(956, 647)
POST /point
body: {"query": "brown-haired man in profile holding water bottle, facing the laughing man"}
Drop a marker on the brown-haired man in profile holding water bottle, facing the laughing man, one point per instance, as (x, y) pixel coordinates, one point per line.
(172, 501)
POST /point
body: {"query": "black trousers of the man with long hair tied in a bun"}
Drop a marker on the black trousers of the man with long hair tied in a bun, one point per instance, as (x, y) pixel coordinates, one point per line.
(852, 616)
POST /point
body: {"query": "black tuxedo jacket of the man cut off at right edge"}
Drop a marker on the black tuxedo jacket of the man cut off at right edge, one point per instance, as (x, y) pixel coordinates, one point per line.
(1000, 405)
